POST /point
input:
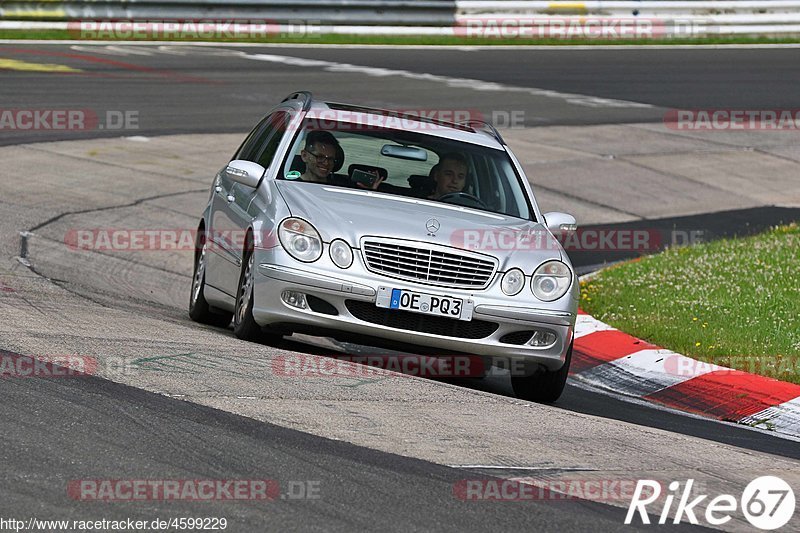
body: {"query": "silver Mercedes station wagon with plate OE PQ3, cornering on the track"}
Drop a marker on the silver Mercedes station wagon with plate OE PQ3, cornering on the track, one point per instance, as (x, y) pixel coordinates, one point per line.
(388, 229)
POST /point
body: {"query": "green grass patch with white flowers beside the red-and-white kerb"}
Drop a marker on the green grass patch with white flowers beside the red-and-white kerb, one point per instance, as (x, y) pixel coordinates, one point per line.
(732, 302)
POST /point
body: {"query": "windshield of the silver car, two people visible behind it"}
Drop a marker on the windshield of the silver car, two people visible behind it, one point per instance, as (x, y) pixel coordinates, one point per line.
(413, 164)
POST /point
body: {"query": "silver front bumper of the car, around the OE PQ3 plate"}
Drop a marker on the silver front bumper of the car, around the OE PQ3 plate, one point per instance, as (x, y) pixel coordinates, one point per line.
(497, 330)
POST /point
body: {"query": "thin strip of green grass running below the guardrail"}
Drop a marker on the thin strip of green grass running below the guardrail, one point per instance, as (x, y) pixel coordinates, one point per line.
(427, 40)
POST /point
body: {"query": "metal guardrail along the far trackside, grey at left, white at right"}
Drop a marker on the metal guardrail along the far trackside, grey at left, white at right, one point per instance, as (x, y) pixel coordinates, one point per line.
(466, 18)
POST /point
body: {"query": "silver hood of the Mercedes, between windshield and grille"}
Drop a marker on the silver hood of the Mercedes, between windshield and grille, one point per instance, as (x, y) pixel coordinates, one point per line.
(339, 212)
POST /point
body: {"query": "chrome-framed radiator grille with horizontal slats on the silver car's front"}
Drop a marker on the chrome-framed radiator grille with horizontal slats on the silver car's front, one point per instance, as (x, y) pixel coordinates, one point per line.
(427, 264)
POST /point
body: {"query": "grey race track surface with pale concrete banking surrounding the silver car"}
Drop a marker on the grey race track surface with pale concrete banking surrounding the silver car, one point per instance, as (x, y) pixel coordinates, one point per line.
(174, 400)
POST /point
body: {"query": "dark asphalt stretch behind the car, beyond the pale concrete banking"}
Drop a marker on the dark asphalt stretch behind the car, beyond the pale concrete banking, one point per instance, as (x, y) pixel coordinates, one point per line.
(172, 88)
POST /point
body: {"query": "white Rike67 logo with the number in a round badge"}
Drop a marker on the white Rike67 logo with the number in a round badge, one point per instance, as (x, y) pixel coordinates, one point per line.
(767, 502)
